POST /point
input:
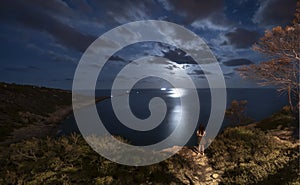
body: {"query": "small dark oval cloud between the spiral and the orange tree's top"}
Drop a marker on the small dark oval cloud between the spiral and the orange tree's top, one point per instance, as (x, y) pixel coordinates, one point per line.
(242, 38)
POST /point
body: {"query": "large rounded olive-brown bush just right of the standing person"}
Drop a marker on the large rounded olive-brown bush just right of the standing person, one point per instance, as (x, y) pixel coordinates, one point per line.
(249, 156)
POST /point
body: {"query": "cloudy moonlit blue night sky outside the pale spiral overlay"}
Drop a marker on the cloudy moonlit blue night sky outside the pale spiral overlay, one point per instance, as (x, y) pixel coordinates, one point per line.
(42, 40)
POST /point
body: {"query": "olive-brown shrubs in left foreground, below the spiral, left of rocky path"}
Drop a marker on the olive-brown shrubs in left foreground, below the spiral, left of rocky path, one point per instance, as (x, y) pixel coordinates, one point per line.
(69, 160)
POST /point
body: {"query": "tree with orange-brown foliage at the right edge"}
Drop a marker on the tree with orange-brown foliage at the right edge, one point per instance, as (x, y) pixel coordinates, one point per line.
(282, 48)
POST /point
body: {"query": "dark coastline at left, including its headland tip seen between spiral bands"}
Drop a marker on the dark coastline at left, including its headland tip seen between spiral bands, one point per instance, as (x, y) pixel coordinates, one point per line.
(29, 111)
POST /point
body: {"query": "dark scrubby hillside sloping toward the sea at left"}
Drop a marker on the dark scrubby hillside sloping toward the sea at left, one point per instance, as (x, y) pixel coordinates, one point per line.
(22, 105)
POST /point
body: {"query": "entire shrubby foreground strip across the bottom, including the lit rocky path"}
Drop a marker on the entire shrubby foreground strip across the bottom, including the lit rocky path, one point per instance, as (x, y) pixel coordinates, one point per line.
(243, 155)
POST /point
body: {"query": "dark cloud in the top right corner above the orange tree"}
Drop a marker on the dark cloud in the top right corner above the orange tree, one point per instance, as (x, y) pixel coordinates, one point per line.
(275, 12)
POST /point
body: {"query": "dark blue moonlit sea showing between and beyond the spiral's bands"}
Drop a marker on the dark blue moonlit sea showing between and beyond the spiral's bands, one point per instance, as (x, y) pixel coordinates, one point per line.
(261, 103)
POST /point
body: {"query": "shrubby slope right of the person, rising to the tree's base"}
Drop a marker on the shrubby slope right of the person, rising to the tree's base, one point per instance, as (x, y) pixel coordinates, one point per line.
(262, 153)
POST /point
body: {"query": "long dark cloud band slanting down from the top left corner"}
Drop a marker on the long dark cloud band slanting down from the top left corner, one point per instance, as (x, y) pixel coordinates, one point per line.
(38, 19)
